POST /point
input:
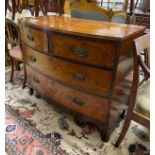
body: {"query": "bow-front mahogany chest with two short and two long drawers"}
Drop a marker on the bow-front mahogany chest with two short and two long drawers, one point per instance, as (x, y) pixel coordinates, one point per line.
(76, 64)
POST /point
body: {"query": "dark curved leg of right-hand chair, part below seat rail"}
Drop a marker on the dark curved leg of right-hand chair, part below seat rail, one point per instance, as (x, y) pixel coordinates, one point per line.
(123, 132)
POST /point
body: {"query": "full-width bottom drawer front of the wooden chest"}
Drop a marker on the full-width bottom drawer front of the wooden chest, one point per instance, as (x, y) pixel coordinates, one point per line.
(92, 106)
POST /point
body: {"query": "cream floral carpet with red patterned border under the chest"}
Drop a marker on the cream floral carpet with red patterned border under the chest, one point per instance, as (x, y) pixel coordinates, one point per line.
(34, 127)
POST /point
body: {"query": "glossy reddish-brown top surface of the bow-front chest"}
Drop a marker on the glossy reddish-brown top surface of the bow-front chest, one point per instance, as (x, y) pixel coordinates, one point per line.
(82, 27)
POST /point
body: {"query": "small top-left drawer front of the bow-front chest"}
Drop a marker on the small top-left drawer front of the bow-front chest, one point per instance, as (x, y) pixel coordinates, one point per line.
(34, 38)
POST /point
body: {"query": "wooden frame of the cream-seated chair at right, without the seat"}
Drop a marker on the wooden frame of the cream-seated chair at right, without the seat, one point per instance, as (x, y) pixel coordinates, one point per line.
(140, 44)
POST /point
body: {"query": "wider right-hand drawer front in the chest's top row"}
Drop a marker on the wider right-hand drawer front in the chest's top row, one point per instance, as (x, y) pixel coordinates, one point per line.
(82, 50)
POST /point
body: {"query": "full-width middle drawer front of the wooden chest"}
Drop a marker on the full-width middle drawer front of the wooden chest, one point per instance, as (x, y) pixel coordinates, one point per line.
(85, 78)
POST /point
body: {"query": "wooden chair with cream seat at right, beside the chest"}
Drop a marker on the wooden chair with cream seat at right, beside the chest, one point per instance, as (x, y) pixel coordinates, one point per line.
(139, 103)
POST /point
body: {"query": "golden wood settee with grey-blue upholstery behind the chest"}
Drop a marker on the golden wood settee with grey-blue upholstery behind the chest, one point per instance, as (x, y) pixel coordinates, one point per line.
(91, 10)
